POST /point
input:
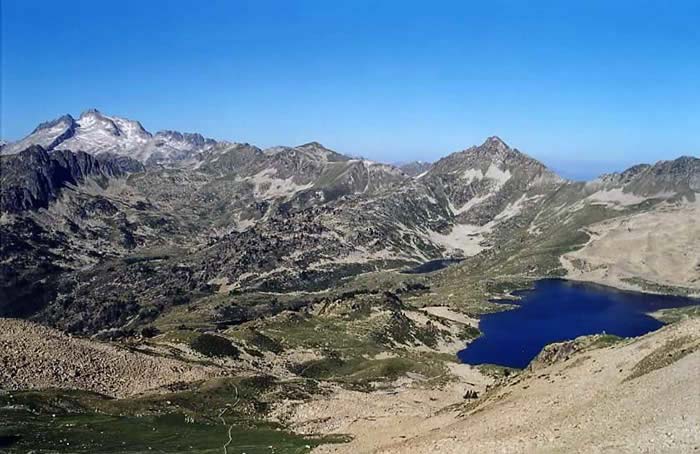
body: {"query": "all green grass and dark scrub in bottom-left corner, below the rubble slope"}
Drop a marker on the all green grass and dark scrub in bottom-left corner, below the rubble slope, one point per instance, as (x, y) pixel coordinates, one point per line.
(179, 422)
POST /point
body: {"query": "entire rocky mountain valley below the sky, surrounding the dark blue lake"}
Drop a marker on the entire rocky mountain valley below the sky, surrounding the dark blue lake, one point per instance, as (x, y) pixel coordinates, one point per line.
(153, 282)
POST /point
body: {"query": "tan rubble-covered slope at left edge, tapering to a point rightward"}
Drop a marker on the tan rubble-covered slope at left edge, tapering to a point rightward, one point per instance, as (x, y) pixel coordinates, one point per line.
(34, 356)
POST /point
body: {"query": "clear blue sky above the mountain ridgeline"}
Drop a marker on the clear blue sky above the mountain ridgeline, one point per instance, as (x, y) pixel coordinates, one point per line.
(586, 86)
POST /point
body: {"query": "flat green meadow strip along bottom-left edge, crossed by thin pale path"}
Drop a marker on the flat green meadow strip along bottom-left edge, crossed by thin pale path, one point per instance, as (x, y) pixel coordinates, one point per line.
(89, 433)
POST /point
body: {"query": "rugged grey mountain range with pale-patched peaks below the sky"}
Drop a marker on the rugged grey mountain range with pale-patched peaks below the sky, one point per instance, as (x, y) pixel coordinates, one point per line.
(103, 221)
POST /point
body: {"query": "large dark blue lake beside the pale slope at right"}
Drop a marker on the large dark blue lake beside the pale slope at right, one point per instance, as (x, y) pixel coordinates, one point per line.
(557, 310)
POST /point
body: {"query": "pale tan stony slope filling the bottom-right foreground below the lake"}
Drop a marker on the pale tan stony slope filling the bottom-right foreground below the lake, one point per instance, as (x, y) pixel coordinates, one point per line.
(639, 395)
